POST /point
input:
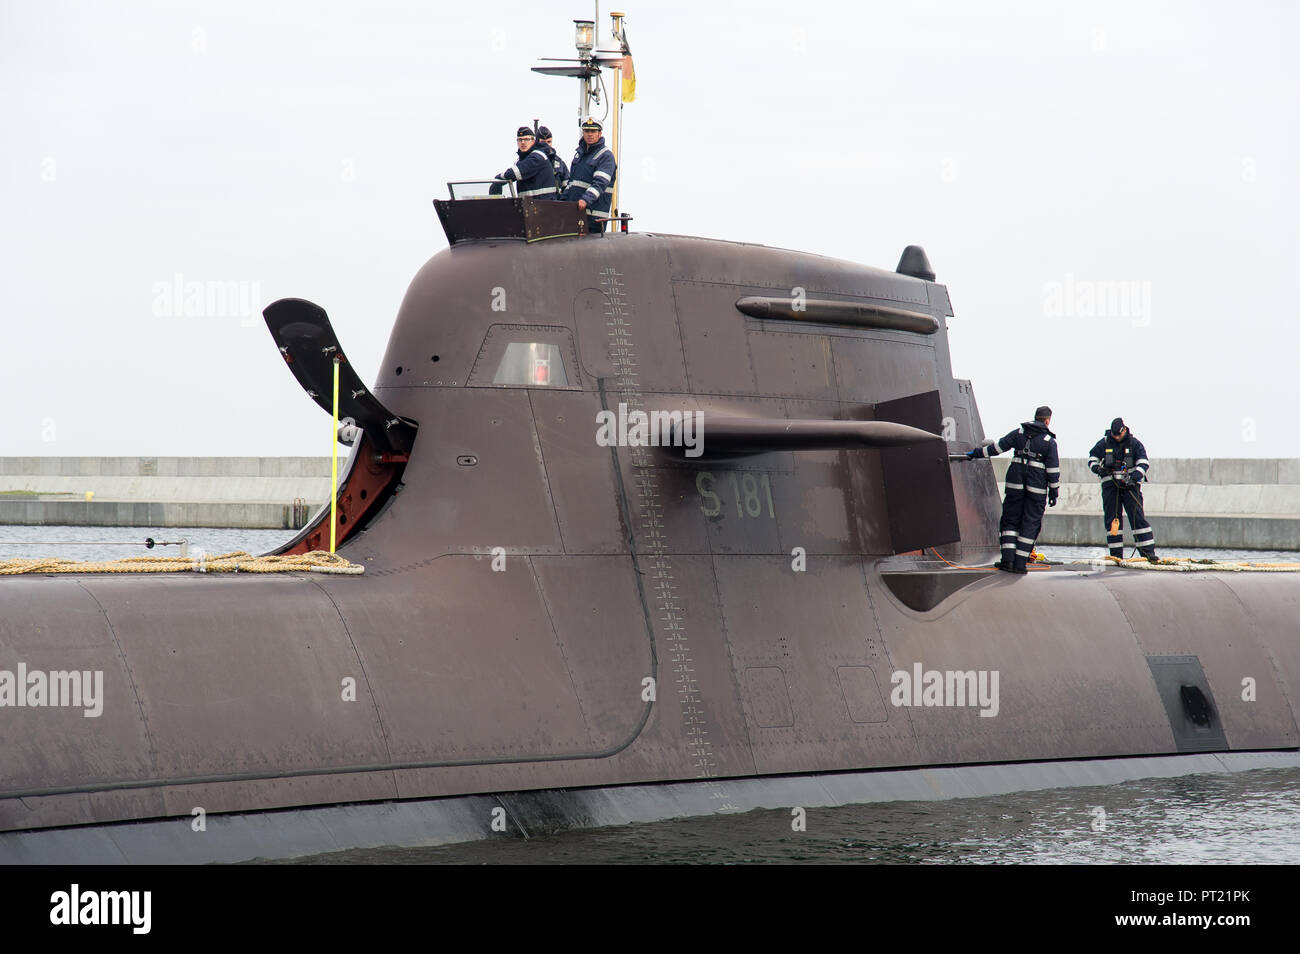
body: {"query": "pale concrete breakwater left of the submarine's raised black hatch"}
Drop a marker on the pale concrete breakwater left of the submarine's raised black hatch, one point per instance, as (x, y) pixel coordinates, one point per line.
(246, 493)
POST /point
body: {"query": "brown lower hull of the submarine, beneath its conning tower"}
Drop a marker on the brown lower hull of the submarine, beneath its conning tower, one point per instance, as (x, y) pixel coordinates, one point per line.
(278, 731)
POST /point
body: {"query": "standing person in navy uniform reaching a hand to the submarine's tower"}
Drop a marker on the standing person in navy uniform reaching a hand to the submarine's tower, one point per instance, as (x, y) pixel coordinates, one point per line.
(1033, 480)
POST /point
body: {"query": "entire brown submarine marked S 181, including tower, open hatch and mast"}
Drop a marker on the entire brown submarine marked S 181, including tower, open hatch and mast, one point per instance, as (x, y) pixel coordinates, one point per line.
(651, 526)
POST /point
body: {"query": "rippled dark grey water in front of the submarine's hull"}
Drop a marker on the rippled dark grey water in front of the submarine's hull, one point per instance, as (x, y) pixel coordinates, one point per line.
(1240, 818)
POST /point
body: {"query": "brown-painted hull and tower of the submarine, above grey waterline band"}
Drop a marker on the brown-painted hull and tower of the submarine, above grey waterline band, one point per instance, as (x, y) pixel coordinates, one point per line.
(623, 565)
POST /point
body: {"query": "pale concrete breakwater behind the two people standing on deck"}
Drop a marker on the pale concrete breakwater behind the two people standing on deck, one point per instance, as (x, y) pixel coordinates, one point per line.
(1229, 504)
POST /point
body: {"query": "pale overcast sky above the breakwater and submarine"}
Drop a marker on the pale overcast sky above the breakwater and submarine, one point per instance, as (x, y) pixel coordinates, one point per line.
(1108, 190)
